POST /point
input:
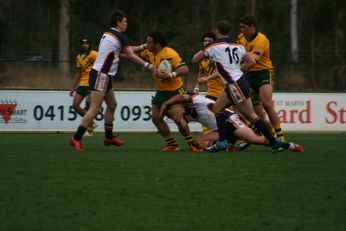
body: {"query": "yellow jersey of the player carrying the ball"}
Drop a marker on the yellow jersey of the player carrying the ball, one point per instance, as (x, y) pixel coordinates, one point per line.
(175, 60)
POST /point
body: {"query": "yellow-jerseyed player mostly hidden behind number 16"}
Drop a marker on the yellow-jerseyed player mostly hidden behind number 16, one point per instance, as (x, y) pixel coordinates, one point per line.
(208, 72)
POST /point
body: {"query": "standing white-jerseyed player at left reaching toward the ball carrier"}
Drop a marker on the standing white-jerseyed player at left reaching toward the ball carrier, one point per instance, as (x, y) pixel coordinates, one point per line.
(105, 67)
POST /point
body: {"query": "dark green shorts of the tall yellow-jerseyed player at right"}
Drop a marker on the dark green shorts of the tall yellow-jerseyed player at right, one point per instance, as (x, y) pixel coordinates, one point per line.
(256, 80)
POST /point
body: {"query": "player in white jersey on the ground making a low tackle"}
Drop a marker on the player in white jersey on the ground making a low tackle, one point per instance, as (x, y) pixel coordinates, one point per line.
(200, 109)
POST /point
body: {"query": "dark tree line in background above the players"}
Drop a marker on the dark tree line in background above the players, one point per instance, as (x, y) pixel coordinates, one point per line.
(301, 32)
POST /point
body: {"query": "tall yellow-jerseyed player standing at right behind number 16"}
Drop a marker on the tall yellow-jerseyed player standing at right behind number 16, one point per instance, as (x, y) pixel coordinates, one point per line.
(261, 75)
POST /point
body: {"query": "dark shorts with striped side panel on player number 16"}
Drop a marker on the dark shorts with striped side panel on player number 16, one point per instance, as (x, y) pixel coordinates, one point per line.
(238, 91)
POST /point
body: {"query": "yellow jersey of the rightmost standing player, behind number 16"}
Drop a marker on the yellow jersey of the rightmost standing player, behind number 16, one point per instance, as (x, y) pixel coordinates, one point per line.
(259, 48)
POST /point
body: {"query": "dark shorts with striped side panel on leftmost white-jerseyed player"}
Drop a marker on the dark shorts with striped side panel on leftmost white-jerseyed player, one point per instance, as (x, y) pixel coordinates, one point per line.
(99, 81)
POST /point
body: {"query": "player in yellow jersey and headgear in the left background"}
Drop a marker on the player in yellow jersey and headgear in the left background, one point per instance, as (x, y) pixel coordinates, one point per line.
(80, 86)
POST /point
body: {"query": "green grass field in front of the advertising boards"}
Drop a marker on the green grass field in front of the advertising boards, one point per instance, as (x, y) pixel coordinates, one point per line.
(45, 185)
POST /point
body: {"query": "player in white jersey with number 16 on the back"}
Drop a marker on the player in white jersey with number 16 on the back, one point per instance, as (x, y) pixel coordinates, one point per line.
(231, 61)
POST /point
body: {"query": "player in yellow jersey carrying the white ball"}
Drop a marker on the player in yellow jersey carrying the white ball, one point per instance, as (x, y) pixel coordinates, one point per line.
(168, 85)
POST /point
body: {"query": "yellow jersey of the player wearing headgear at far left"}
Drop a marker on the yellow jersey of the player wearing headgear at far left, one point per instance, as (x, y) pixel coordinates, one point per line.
(85, 64)
